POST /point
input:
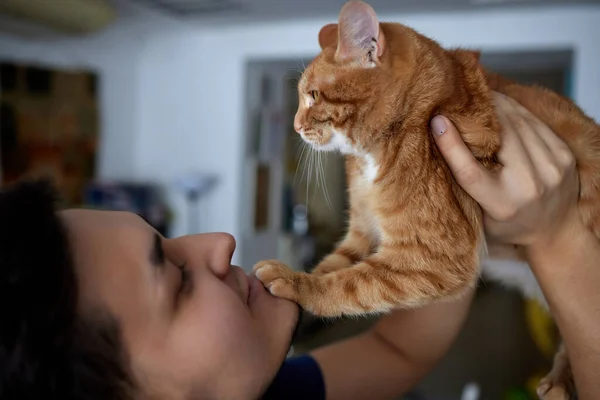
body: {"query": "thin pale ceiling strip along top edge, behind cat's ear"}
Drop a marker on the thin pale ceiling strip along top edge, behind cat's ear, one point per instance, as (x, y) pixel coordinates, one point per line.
(210, 11)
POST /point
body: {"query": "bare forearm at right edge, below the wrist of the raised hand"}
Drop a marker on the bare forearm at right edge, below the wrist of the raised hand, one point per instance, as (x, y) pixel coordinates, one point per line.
(568, 270)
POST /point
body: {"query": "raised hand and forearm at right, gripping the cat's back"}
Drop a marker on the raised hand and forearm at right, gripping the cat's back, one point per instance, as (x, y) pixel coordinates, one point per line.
(533, 202)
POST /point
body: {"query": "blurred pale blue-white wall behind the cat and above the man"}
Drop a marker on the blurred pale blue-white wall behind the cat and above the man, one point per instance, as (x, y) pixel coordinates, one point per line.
(172, 86)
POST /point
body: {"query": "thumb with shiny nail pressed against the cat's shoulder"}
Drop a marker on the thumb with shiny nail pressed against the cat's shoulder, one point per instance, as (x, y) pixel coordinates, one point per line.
(465, 168)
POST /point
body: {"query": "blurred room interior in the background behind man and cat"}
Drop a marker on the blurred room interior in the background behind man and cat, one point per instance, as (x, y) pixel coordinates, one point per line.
(182, 110)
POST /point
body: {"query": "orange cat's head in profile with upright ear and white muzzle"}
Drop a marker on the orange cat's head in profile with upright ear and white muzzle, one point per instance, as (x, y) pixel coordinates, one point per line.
(349, 89)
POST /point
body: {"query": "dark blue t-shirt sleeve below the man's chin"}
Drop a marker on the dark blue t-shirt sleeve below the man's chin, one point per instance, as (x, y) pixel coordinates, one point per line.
(299, 378)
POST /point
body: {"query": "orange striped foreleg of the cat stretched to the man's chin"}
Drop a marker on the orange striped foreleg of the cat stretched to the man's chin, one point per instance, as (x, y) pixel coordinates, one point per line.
(377, 284)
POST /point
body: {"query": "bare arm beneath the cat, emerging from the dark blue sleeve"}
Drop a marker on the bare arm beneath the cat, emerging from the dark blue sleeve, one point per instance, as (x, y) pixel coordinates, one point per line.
(395, 354)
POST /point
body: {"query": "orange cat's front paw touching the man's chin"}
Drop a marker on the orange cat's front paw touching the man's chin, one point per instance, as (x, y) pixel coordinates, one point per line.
(278, 278)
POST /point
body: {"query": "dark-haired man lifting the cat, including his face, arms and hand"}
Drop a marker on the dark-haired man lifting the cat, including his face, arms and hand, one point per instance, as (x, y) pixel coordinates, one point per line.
(98, 305)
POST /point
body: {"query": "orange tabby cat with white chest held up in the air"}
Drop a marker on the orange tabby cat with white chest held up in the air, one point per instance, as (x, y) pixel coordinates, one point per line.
(414, 235)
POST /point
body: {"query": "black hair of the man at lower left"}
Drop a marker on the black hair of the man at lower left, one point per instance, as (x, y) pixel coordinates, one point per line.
(49, 350)
